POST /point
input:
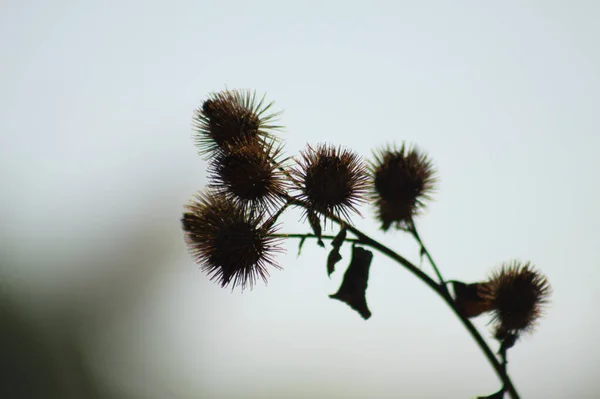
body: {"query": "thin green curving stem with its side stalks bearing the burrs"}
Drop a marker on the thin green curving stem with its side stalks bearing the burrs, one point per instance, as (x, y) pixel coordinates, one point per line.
(440, 289)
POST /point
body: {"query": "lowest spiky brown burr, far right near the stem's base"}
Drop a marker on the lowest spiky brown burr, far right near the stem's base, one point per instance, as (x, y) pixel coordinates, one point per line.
(518, 294)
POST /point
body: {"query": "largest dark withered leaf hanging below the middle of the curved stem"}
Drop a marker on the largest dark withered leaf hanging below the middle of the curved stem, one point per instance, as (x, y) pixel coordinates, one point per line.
(354, 286)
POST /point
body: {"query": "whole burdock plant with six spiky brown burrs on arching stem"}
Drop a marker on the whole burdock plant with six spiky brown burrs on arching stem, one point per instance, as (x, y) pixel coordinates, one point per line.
(231, 226)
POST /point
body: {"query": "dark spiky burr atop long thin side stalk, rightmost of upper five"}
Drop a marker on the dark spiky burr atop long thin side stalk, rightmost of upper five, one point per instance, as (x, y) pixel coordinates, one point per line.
(404, 180)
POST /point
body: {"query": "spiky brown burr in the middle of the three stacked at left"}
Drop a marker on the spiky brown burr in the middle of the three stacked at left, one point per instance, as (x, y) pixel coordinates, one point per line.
(251, 175)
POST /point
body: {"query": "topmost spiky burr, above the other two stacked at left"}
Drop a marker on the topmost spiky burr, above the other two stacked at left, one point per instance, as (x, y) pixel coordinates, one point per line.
(231, 116)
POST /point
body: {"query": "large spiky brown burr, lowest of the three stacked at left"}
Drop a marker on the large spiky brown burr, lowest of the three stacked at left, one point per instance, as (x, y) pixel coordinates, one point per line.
(232, 245)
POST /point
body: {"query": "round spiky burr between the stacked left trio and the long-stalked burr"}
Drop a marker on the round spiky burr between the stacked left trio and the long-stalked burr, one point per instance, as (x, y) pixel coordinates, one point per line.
(332, 180)
